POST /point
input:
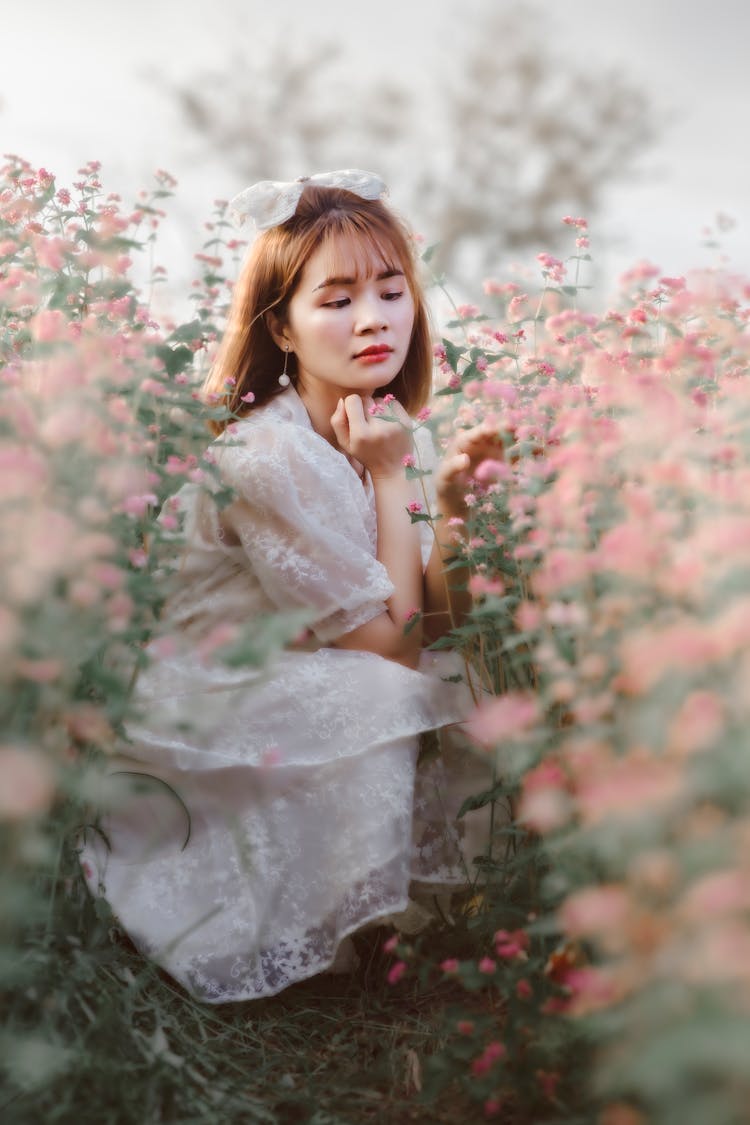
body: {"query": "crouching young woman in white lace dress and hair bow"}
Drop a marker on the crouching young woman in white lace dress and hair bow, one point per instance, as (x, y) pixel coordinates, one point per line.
(294, 811)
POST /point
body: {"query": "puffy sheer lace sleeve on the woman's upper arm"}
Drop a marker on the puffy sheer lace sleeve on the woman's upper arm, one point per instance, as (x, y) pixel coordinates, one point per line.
(306, 528)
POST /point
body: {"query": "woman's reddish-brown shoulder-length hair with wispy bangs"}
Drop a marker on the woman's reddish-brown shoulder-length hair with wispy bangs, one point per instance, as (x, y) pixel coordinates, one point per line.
(249, 361)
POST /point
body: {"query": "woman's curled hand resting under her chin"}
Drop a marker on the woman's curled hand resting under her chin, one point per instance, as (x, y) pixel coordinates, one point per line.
(379, 444)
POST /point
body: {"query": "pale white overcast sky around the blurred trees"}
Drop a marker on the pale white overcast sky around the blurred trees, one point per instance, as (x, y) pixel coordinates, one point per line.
(75, 86)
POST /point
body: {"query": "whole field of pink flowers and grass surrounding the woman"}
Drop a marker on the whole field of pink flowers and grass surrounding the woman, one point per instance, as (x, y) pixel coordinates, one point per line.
(600, 968)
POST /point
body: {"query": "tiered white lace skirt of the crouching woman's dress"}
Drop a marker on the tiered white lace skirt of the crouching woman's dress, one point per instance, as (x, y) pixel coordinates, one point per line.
(258, 820)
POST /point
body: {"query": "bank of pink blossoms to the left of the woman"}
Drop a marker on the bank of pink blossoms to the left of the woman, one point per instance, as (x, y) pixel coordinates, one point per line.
(98, 427)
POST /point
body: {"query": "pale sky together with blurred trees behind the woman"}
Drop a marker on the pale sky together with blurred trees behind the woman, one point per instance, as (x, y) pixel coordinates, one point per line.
(490, 120)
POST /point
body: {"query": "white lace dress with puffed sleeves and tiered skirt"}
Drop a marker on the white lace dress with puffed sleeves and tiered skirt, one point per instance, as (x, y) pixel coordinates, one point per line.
(268, 815)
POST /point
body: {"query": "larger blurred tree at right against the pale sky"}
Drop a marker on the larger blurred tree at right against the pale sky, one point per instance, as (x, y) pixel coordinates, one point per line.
(530, 139)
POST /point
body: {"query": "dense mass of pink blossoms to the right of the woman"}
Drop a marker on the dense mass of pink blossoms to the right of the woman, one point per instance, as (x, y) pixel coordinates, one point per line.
(618, 532)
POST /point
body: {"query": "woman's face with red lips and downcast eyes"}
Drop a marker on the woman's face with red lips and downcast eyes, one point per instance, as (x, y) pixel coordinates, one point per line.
(349, 323)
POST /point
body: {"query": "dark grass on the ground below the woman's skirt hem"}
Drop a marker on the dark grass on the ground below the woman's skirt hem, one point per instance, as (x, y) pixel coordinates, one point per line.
(100, 1037)
